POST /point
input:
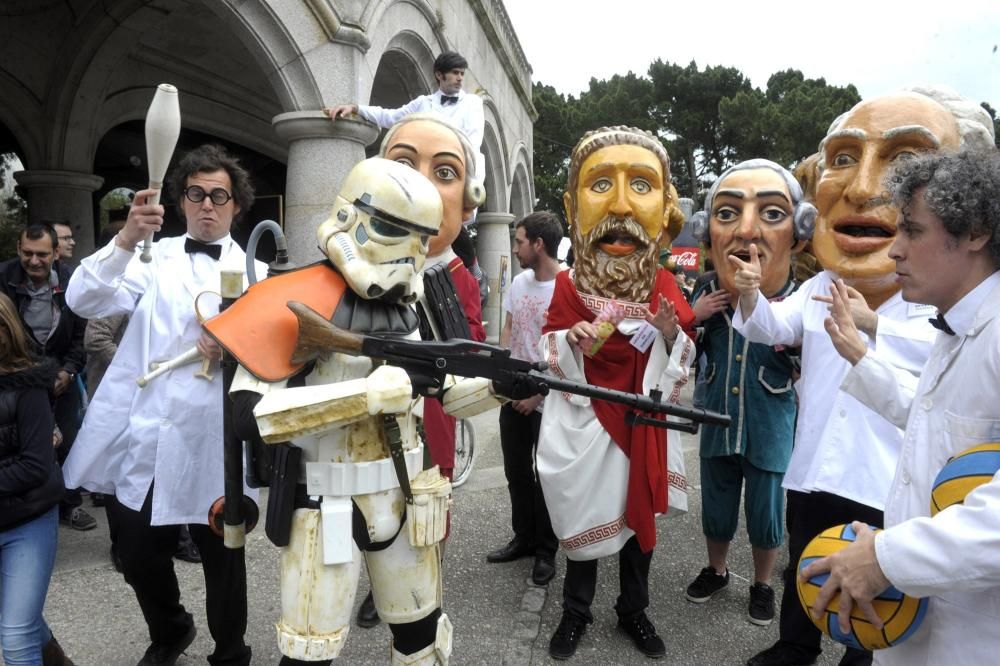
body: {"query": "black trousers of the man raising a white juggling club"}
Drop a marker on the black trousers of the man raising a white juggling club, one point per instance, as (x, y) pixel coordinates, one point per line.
(147, 557)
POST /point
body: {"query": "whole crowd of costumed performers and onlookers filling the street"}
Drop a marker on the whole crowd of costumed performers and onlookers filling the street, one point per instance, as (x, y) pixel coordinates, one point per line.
(846, 392)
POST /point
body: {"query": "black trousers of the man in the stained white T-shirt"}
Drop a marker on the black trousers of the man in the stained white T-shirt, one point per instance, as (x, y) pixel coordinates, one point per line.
(529, 516)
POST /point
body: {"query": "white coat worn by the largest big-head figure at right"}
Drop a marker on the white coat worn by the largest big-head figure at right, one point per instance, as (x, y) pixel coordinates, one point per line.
(841, 446)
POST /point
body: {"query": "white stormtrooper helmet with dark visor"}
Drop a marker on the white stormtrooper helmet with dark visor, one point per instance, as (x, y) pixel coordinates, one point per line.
(378, 233)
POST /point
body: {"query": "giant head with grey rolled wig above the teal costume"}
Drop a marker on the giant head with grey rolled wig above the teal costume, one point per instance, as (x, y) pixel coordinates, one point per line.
(756, 202)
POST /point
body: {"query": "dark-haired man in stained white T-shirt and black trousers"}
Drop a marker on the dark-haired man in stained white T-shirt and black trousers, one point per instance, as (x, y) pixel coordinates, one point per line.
(536, 243)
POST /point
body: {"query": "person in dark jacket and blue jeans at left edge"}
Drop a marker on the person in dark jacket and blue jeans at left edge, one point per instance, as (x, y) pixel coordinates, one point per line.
(31, 486)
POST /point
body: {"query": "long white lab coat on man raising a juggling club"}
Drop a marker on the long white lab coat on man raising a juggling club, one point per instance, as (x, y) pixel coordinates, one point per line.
(170, 431)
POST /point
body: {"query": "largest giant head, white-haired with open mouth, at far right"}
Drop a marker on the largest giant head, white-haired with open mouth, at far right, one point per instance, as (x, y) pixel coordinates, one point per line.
(857, 220)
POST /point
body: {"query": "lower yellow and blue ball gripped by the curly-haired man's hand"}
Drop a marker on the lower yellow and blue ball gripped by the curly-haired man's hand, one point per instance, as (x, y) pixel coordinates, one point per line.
(901, 614)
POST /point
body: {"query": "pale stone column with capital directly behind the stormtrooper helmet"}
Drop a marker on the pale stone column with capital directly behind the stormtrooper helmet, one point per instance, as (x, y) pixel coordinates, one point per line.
(320, 154)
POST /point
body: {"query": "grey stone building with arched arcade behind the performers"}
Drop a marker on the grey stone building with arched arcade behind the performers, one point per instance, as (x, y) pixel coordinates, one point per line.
(77, 76)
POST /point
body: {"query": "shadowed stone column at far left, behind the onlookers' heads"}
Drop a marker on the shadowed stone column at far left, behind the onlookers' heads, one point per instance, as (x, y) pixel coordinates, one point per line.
(63, 196)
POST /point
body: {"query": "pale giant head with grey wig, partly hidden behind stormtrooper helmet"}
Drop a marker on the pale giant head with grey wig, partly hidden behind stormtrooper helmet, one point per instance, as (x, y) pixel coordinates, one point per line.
(444, 156)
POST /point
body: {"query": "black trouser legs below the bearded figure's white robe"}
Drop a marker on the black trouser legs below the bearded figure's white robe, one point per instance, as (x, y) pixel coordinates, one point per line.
(633, 583)
